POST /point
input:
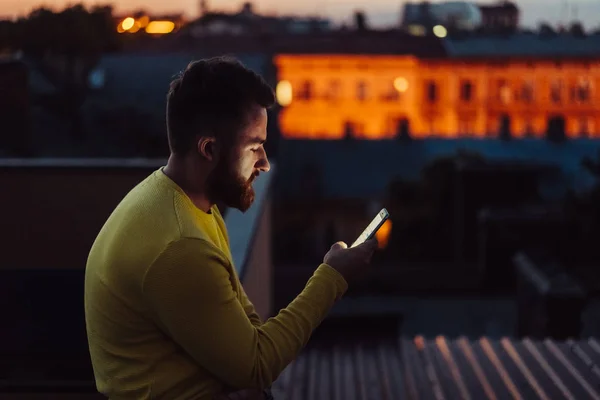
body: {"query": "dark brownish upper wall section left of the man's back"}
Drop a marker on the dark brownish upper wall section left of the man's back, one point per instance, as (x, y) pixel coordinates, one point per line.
(51, 214)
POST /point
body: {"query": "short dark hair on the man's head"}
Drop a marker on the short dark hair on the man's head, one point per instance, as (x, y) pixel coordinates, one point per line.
(212, 96)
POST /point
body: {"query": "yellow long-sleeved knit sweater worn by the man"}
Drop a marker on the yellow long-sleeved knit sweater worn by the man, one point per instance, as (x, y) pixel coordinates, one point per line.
(166, 315)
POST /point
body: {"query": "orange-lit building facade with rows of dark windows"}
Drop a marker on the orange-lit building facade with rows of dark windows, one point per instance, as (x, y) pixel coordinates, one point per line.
(331, 96)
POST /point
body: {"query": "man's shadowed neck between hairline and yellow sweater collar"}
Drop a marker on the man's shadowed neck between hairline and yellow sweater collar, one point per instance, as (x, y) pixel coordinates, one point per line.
(189, 177)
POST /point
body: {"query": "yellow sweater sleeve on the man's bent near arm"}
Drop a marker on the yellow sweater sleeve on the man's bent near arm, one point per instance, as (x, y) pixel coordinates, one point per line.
(189, 291)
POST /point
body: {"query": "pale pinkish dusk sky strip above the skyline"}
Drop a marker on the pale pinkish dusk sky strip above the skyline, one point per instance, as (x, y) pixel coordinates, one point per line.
(379, 12)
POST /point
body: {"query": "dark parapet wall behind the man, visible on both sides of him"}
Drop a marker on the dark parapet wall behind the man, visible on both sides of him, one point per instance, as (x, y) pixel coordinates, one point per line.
(51, 212)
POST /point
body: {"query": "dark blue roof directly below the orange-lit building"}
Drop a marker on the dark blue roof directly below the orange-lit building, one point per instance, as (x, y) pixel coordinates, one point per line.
(364, 168)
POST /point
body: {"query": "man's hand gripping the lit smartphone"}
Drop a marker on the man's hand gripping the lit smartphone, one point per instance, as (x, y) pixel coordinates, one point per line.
(351, 263)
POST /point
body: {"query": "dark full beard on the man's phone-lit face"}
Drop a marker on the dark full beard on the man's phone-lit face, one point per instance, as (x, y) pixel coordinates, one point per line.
(228, 187)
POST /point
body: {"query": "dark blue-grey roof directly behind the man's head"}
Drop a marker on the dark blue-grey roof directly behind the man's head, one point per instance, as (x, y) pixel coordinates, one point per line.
(125, 115)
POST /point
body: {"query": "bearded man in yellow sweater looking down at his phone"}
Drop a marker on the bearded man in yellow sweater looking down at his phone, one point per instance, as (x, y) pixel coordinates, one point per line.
(166, 315)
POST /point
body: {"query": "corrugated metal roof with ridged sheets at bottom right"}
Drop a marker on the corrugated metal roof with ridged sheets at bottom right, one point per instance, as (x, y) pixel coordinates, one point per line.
(445, 368)
